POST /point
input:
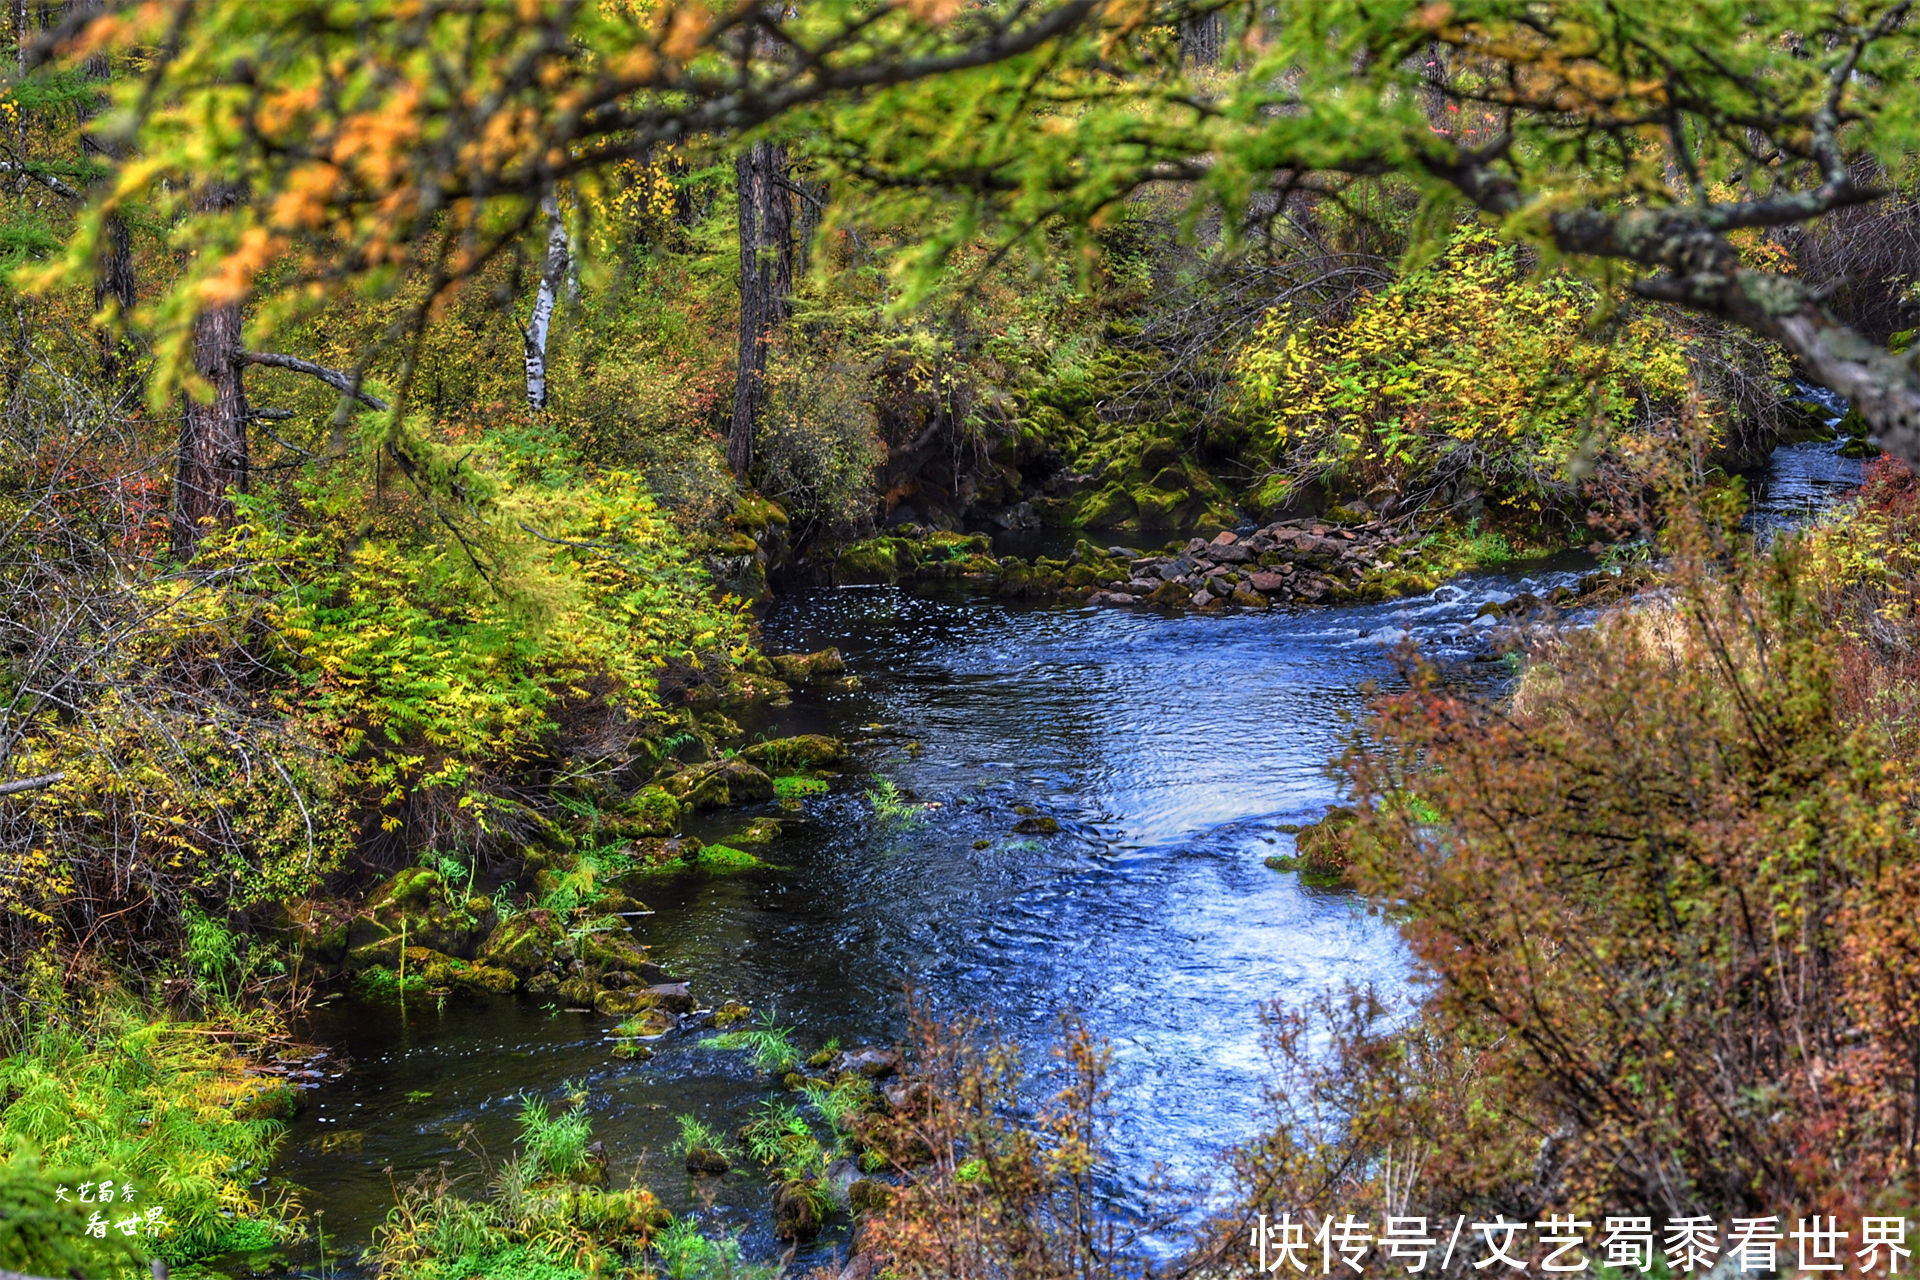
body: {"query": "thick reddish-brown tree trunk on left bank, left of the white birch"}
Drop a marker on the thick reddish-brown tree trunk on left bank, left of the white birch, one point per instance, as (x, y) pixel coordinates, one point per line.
(214, 458)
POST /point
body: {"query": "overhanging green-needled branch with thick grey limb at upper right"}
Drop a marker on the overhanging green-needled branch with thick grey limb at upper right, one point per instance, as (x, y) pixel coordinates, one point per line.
(1656, 145)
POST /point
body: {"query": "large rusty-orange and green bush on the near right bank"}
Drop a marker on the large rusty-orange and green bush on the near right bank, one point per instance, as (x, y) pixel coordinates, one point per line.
(1662, 907)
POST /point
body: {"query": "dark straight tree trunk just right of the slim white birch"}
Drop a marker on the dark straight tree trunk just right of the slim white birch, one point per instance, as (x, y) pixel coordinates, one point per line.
(765, 285)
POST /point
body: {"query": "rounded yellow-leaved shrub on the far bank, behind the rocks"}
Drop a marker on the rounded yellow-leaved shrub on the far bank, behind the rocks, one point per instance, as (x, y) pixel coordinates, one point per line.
(1472, 377)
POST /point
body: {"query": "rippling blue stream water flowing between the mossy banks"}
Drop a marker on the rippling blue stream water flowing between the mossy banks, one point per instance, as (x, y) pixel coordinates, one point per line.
(1172, 751)
